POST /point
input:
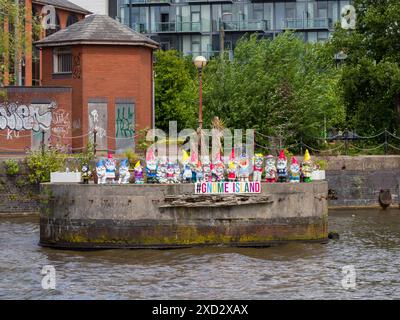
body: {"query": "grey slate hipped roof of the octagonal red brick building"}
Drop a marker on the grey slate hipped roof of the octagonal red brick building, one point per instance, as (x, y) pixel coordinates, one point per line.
(97, 29)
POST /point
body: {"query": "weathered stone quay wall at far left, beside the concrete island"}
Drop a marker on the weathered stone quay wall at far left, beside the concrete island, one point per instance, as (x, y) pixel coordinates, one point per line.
(17, 196)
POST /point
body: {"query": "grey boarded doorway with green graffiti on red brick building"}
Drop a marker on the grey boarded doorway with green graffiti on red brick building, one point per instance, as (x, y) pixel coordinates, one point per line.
(124, 126)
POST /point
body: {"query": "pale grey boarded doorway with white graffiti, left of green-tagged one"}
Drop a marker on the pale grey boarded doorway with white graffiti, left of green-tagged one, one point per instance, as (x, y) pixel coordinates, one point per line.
(98, 121)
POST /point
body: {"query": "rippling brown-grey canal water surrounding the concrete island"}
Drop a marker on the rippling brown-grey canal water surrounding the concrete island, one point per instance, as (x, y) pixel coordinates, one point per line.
(368, 248)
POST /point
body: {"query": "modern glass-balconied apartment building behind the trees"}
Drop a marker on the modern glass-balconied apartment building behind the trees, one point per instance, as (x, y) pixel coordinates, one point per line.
(204, 26)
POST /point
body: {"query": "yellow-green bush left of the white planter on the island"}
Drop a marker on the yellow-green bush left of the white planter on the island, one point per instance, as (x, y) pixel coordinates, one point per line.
(41, 165)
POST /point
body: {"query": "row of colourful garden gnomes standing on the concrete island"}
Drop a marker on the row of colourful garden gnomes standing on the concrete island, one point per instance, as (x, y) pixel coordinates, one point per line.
(192, 170)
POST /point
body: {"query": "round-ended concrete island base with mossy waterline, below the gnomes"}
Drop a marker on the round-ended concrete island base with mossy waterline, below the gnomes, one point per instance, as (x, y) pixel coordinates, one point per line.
(135, 216)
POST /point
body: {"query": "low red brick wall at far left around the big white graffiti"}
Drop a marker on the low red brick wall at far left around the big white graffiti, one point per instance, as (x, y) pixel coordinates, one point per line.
(12, 141)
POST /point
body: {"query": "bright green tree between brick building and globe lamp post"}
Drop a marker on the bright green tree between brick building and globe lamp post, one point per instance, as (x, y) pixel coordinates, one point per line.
(176, 92)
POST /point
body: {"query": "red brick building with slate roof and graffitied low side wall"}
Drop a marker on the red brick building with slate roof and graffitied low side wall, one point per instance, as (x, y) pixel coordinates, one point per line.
(105, 69)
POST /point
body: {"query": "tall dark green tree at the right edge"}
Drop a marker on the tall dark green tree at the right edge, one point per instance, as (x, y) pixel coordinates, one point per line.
(370, 79)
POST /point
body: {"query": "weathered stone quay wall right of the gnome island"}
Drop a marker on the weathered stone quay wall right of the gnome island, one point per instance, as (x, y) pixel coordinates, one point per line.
(357, 181)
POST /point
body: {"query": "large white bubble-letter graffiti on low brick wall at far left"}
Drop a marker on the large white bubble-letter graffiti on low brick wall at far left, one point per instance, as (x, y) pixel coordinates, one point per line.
(35, 117)
